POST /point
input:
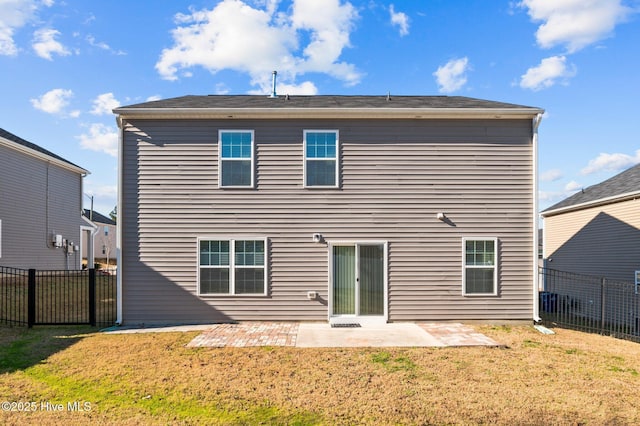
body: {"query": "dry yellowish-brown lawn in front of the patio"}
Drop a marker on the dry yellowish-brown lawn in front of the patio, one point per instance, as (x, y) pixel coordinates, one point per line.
(567, 378)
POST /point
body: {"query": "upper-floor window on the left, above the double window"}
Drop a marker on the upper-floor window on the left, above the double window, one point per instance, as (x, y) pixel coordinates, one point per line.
(235, 149)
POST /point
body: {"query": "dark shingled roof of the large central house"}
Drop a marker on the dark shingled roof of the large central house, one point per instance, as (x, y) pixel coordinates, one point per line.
(322, 101)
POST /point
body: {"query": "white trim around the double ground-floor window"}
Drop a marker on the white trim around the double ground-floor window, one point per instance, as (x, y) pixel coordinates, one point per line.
(232, 266)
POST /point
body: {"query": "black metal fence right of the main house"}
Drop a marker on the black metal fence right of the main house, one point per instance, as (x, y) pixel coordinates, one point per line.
(589, 303)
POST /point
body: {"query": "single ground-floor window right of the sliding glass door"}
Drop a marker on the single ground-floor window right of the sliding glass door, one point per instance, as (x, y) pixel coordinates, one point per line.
(480, 271)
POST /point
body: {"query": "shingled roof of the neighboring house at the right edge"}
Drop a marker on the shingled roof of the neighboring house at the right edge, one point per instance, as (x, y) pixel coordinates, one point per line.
(623, 183)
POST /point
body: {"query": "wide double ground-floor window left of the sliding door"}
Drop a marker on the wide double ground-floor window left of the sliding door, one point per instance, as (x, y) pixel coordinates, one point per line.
(232, 266)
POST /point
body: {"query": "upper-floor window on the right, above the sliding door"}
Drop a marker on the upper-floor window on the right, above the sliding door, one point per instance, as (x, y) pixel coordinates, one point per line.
(321, 158)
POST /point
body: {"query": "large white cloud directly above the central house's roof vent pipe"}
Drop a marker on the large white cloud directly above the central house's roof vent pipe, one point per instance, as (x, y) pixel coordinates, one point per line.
(256, 41)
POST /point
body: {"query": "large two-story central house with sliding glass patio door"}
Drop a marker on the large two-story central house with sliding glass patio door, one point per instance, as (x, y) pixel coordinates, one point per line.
(338, 208)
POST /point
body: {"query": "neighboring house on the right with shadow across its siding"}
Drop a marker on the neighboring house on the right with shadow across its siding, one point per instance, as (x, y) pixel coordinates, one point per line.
(597, 230)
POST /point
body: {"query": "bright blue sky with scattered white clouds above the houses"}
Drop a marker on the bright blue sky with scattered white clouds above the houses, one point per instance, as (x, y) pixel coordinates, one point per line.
(64, 64)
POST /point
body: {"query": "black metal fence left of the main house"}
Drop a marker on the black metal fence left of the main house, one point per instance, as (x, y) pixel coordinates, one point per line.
(36, 297)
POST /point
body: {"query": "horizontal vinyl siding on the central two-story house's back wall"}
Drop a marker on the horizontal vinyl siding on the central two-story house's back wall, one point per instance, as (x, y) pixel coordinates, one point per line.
(395, 176)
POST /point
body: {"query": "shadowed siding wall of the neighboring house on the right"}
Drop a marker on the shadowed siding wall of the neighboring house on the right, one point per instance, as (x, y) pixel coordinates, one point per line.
(602, 241)
